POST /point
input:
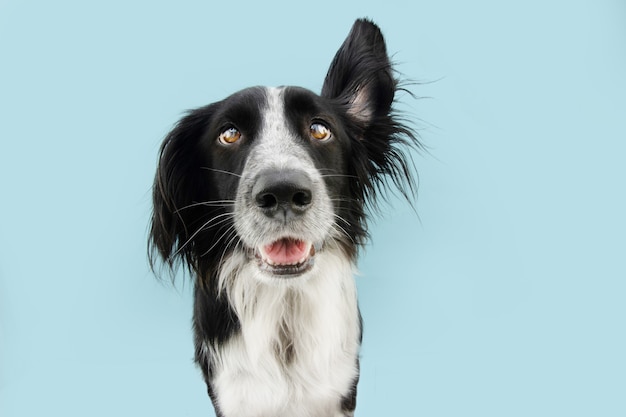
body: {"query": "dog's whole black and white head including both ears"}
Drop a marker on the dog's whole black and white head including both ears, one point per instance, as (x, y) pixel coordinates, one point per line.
(280, 175)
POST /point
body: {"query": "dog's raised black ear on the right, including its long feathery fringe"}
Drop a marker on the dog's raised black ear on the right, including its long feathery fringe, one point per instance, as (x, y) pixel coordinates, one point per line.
(361, 81)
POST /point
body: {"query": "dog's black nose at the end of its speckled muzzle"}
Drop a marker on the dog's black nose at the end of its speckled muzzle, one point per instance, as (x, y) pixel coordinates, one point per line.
(282, 194)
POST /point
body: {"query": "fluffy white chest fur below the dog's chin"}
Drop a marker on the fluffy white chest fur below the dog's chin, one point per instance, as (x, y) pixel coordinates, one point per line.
(296, 353)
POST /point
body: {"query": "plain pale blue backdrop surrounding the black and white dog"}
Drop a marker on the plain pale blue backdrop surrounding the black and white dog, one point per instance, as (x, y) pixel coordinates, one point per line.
(505, 297)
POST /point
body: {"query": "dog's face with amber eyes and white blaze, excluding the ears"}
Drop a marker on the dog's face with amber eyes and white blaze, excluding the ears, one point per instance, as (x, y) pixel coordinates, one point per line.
(277, 156)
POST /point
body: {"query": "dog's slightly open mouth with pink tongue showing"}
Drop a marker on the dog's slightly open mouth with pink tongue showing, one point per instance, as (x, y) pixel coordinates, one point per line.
(286, 256)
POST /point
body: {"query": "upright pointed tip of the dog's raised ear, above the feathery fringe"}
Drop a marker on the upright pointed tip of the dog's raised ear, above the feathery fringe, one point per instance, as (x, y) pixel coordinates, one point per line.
(360, 75)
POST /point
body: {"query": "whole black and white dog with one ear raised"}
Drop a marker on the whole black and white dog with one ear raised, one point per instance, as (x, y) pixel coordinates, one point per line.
(264, 198)
